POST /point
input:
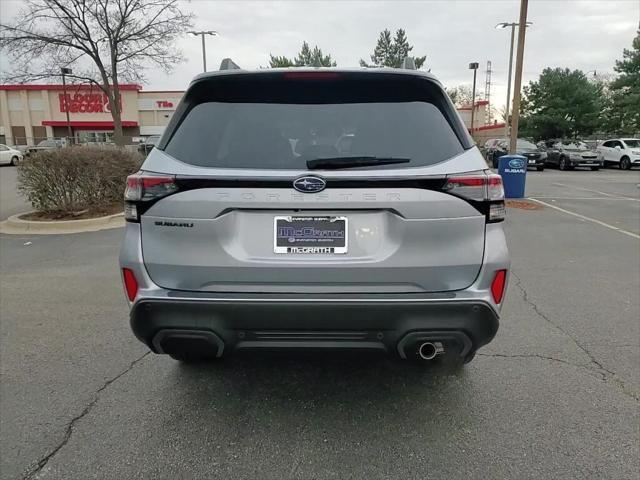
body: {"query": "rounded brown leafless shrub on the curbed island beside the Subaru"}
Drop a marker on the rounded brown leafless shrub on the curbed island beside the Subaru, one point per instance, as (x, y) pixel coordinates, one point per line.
(74, 179)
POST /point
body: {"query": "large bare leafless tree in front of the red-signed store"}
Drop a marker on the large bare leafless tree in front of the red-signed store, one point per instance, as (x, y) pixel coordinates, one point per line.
(105, 41)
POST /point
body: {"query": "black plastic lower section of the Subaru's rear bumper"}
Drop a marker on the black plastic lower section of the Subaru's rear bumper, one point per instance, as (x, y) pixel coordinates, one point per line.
(390, 325)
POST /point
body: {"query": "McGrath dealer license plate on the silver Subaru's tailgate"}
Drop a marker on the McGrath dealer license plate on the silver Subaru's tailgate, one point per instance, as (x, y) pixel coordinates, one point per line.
(310, 235)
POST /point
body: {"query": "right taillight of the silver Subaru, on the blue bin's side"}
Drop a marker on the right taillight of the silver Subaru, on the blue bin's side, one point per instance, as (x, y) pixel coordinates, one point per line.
(482, 190)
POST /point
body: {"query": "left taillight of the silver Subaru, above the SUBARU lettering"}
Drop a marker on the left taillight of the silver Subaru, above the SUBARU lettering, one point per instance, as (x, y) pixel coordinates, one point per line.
(143, 189)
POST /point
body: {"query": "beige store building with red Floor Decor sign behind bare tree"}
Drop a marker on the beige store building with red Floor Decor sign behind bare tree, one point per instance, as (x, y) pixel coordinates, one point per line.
(31, 113)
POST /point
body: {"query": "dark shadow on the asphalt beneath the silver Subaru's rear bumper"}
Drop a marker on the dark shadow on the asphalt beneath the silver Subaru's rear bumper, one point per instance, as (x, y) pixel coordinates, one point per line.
(330, 389)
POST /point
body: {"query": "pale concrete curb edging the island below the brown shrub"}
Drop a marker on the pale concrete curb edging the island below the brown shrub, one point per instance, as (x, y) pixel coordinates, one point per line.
(16, 226)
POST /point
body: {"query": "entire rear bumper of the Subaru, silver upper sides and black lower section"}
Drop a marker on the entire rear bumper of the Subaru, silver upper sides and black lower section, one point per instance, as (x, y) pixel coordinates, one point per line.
(464, 320)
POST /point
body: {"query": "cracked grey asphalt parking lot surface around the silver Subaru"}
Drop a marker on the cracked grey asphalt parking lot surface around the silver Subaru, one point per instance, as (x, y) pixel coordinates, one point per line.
(556, 395)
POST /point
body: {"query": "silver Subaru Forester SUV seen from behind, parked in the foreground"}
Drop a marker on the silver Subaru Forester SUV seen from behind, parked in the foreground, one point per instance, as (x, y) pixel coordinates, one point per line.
(315, 209)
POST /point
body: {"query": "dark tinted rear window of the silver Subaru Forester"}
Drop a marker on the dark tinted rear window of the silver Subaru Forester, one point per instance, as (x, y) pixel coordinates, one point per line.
(289, 123)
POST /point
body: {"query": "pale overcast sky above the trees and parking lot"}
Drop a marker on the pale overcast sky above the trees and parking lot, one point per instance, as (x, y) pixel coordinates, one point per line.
(584, 34)
